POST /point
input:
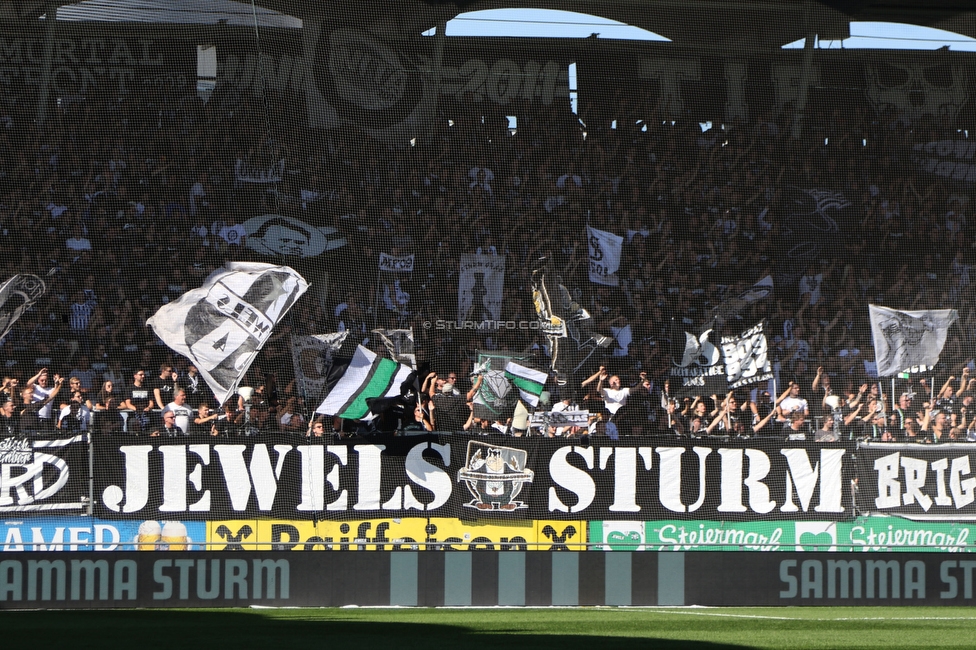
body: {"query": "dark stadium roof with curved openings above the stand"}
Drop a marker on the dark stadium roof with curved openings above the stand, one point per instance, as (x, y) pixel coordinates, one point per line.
(729, 25)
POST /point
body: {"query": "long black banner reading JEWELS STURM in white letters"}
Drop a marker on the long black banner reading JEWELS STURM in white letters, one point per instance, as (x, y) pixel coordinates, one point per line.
(456, 476)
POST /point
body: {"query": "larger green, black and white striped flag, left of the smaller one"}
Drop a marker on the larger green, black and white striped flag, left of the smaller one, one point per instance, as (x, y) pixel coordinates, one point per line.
(367, 376)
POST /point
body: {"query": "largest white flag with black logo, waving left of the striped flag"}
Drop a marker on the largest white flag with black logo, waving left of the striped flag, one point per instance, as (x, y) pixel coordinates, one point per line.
(222, 325)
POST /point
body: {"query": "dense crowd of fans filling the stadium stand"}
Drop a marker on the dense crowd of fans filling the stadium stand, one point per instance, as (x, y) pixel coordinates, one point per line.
(122, 205)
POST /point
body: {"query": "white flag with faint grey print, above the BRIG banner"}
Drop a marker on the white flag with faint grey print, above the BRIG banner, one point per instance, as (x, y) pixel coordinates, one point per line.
(903, 339)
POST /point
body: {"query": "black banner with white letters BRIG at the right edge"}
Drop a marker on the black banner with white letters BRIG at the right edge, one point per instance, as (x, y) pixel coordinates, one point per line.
(917, 480)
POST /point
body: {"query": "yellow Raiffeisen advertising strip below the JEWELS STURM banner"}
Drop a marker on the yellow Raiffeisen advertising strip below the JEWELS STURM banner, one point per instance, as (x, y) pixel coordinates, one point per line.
(395, 534)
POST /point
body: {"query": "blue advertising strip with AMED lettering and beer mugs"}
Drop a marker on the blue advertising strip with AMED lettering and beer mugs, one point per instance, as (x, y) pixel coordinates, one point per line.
(45, 533)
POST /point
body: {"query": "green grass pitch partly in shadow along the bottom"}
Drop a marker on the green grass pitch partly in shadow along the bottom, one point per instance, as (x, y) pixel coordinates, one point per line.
(470, 629)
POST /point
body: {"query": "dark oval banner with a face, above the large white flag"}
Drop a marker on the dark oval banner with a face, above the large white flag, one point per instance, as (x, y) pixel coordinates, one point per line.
(274, 235)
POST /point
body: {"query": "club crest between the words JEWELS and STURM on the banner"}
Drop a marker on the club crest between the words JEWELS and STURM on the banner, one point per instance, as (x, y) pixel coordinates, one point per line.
(495, 476)
